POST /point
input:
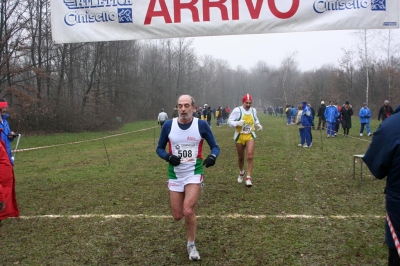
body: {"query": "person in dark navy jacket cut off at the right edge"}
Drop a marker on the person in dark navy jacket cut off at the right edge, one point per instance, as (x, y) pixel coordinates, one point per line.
(383, 160)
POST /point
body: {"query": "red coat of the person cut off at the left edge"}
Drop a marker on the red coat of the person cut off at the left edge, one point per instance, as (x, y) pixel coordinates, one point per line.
(8, 198)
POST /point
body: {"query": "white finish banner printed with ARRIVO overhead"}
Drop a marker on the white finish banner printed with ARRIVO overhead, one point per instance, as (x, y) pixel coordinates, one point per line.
(112, 20)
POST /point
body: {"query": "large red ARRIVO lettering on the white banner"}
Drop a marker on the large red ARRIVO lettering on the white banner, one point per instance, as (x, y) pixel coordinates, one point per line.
(207, 5)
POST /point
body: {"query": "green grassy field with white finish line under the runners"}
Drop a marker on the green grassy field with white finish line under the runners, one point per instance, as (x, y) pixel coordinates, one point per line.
(105, 202)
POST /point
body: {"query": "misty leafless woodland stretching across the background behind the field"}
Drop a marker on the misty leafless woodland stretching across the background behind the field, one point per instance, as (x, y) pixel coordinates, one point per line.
(94, 86)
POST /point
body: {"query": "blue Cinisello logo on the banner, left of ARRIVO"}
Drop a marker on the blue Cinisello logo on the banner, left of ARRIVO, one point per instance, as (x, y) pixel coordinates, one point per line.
(85, 11)
